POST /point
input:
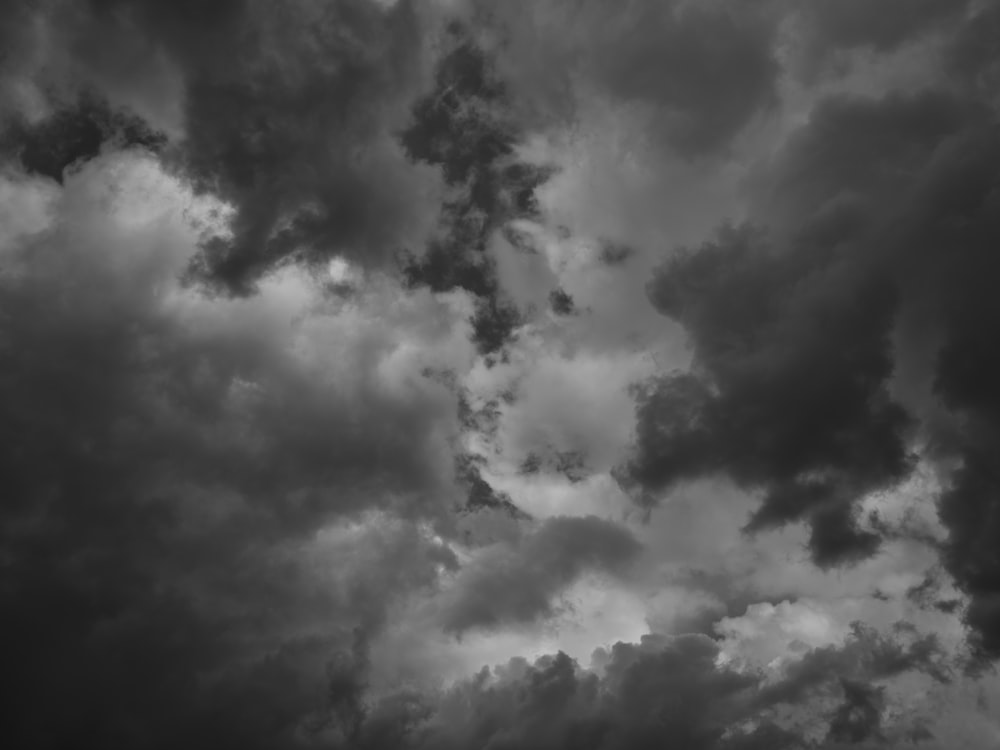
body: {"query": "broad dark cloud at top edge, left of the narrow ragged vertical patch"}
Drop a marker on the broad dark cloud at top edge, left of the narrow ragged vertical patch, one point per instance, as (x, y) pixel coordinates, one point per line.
(305, 164)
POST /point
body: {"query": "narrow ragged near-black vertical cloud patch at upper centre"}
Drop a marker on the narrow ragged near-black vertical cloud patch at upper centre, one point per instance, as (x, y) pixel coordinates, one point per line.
(465, 126)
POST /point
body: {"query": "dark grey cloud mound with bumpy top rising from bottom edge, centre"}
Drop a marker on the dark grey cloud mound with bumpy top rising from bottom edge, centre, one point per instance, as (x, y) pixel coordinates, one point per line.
(648, 693)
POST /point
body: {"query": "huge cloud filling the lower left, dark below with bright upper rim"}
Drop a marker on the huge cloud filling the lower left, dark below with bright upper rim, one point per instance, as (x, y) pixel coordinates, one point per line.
(168, 461)
